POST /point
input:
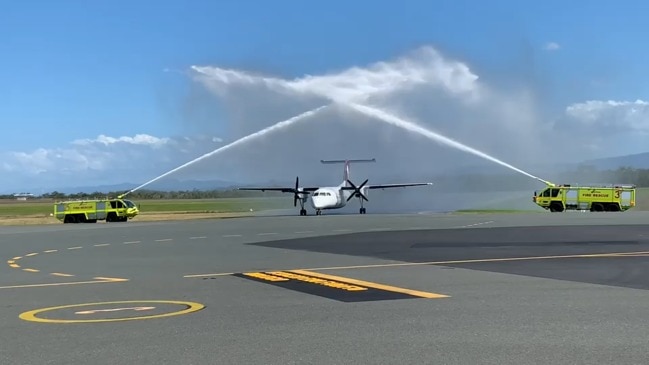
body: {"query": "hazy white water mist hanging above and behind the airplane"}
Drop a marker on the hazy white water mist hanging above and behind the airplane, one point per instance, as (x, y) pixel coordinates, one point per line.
(423, 87)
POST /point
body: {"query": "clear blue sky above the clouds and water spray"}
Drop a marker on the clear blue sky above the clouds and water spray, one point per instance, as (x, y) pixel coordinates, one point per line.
(75, 70)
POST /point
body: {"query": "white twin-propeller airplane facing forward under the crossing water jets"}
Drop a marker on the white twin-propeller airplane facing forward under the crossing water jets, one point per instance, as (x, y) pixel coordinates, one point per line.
(333, 197)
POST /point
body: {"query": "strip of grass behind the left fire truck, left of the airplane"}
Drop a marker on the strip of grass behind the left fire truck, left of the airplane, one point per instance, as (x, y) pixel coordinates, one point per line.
(226, 205)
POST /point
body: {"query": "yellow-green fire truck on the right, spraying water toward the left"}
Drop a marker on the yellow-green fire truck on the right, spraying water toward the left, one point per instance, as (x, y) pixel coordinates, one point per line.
(609, 198)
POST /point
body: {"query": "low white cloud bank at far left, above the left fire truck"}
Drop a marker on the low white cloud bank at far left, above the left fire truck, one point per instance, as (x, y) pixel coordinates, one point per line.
(101, 160)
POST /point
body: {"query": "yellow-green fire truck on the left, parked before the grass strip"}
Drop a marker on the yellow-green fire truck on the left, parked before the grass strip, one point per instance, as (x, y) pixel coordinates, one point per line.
(90, 211)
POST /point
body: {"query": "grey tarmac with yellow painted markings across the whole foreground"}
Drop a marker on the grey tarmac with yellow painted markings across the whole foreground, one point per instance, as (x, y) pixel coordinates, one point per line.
(419, 288)
